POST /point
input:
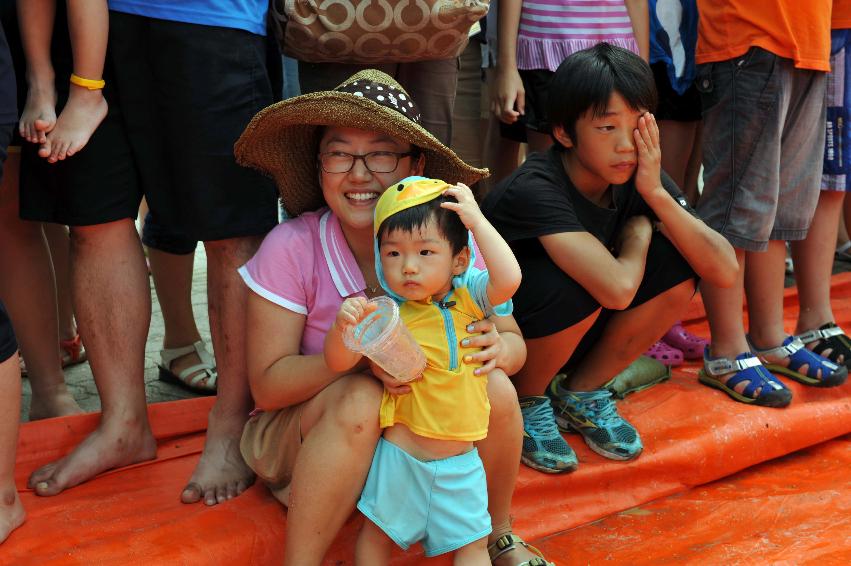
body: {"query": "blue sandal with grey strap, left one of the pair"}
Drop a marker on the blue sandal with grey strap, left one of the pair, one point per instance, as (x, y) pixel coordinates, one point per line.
(762, 389)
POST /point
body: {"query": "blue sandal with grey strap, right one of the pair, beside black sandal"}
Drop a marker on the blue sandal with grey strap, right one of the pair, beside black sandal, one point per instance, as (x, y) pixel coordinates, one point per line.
(821, 372)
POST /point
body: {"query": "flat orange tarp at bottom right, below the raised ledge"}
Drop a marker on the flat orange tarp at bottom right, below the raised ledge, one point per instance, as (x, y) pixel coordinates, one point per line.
(792, 510)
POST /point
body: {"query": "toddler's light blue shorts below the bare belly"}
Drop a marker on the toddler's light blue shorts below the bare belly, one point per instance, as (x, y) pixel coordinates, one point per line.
(442, 503)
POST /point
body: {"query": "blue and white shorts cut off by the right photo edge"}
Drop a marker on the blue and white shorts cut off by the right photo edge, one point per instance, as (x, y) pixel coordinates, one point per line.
(837, 145)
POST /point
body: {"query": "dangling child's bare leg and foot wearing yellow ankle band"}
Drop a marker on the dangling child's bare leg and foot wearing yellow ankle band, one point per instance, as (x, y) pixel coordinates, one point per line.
(88, 24)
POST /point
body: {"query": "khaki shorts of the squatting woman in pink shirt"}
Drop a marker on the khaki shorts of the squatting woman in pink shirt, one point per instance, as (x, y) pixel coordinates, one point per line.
(270, 442)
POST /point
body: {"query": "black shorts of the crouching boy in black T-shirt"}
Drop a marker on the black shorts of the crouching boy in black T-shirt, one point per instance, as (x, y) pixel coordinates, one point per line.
(549, 301)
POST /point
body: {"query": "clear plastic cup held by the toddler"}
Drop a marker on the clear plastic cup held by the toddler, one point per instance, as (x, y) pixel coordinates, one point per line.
(384, 338)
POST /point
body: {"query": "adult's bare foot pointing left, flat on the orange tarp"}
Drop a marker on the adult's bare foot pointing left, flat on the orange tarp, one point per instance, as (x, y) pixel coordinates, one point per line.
(111, 445)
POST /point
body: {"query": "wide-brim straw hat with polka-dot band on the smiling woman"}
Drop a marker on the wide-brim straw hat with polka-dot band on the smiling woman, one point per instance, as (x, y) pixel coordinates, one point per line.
(282, 140)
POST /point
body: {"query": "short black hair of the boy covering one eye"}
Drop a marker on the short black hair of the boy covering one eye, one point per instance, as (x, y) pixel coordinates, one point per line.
(586, 79)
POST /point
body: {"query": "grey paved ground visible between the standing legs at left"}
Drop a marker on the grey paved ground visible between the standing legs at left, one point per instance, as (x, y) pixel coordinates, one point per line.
(79, 377)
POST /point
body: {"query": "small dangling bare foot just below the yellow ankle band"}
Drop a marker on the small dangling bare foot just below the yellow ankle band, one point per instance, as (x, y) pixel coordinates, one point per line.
(79, 119)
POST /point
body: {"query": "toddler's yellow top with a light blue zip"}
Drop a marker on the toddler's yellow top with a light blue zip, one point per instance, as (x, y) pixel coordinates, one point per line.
(450, 402)
